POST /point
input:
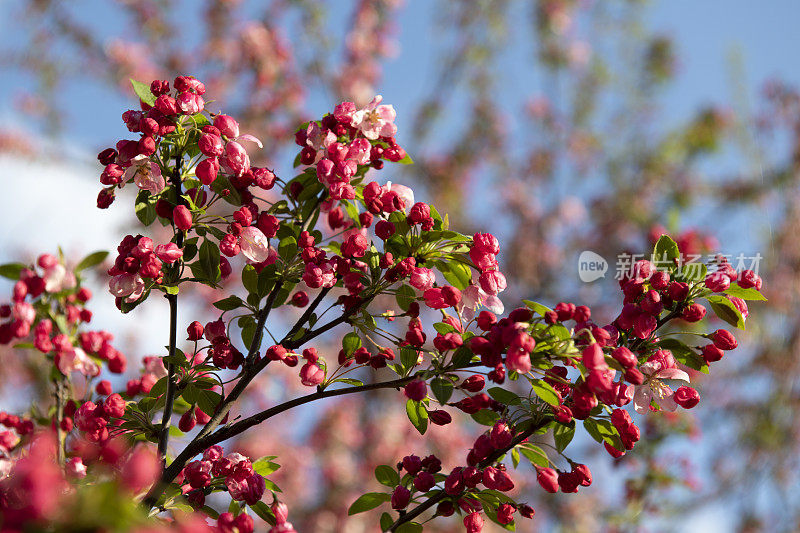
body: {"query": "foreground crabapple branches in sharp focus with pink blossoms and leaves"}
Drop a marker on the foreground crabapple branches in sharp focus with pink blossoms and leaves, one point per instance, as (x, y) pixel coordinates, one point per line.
(334, 232)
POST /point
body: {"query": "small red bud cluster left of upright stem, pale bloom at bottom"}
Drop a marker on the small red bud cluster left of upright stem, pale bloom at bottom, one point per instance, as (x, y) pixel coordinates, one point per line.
(138, 259)
